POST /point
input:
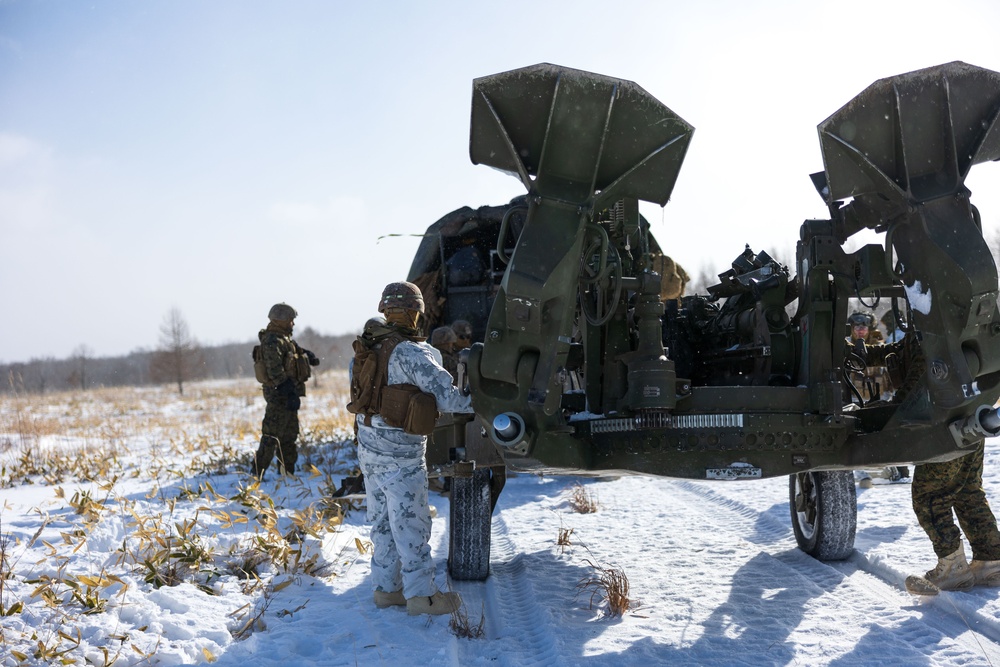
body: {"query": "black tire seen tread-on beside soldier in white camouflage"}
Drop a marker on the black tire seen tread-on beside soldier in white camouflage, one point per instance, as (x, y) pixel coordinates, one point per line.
(469, 532)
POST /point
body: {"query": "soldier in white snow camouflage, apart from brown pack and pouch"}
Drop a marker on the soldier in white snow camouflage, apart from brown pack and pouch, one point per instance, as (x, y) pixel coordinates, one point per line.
(392, 461)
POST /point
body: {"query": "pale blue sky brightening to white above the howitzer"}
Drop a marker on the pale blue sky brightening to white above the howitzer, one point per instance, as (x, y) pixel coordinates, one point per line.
(221, 156)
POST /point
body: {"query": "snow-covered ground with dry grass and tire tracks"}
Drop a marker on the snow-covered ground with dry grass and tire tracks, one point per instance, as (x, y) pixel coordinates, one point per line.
(146, 563)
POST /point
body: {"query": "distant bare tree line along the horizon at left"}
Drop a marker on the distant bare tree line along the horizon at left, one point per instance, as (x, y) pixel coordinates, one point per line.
(82, 370)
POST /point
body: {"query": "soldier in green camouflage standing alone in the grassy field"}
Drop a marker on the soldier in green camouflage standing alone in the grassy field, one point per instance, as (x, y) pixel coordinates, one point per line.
(283, 368)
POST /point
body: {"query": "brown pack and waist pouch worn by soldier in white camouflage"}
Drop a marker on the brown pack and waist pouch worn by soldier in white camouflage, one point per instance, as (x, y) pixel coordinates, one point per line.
(402, 406)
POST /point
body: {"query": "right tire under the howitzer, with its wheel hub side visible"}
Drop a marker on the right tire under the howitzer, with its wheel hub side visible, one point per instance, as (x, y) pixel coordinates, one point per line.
(824, 508)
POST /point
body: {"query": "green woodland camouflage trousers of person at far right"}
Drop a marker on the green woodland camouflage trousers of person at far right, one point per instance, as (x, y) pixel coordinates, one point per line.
(939, 489)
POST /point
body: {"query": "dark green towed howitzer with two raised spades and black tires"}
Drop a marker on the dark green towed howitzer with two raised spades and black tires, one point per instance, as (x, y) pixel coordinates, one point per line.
(583, 367)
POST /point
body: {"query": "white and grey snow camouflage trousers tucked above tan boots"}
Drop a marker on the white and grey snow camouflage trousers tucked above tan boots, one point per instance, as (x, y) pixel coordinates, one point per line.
(398, 509)
